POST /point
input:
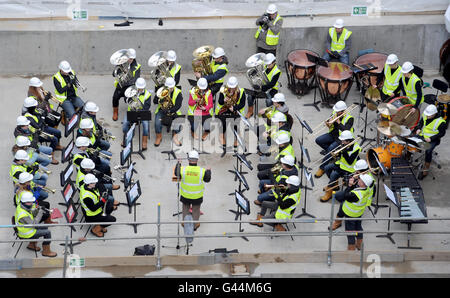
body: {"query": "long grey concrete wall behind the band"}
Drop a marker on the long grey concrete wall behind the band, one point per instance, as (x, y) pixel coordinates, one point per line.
(39, 52)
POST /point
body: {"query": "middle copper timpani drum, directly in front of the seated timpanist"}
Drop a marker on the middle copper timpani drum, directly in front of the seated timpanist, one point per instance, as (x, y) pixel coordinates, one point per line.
(334, 81)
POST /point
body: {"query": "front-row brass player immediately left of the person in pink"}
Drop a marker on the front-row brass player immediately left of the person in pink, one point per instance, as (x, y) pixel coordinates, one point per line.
(165, 116)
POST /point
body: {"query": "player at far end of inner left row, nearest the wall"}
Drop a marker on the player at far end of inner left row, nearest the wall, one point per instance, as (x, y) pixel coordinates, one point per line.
(66, 89)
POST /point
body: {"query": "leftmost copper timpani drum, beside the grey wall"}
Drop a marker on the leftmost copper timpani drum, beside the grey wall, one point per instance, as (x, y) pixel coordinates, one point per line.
(300, 71)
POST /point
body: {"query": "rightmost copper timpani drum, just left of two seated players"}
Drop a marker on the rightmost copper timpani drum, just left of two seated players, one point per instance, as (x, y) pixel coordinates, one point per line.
(369, 78)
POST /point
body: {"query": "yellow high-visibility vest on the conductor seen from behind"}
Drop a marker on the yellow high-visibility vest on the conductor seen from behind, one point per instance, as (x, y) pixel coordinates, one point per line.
(192, 185)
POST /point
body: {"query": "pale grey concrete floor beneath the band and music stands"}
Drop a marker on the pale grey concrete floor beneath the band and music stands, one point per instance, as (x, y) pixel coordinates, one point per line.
(154, 174)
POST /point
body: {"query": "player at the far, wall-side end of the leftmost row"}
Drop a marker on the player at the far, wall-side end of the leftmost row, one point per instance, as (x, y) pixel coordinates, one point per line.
(35, 90)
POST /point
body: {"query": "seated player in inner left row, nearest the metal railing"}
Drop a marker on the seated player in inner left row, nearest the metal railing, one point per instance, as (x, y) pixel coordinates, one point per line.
(95, 205)
